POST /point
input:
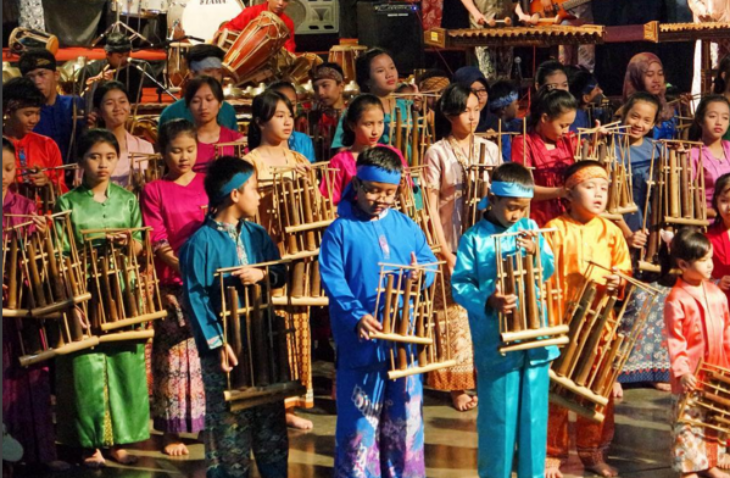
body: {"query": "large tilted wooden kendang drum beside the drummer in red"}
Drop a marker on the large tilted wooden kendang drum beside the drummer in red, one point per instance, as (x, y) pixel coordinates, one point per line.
(256, 45)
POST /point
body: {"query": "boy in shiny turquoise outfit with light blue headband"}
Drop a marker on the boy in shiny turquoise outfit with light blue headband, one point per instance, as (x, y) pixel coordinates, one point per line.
(512, 388)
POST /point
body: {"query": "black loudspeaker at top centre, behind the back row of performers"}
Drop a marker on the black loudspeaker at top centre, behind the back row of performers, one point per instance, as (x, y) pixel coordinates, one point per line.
(396, 27)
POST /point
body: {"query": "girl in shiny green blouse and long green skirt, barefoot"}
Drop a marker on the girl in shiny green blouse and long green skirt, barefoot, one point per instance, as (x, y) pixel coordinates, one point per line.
(102, 397)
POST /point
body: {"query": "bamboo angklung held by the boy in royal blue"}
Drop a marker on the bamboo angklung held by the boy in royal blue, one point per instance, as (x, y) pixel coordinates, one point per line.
(405, 308)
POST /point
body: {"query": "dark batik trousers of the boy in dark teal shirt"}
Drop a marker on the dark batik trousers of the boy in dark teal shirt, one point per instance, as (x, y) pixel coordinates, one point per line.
(230, 437)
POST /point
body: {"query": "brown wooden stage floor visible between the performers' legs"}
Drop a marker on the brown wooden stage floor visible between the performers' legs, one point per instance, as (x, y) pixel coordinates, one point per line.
(640, 448)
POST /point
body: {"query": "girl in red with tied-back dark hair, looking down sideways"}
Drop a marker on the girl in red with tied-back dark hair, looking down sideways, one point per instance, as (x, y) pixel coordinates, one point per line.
(548, 148)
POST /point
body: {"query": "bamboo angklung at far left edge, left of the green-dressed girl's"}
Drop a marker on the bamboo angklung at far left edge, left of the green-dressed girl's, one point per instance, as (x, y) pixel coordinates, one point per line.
(45, 289)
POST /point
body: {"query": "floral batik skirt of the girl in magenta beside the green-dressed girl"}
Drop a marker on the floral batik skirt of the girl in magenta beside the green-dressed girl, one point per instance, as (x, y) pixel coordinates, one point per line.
(178, 397)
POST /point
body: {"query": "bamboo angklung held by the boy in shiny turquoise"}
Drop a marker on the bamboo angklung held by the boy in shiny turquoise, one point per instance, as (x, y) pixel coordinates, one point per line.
(520, 273)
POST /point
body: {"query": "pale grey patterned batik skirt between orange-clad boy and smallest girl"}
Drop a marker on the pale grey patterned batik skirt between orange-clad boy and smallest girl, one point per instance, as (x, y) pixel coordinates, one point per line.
(649, 361)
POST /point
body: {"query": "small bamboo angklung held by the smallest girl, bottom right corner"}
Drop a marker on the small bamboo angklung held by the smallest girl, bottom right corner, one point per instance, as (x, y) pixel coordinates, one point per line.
(712, 394)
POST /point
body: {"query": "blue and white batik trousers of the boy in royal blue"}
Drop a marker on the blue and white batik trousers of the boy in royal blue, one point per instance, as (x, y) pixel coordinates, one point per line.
(379, 425)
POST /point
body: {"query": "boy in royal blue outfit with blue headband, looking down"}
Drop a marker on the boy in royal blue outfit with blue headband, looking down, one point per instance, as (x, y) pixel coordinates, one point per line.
(379, 421)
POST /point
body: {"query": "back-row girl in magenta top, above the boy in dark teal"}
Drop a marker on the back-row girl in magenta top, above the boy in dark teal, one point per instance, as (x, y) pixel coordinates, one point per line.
(204, 98)
